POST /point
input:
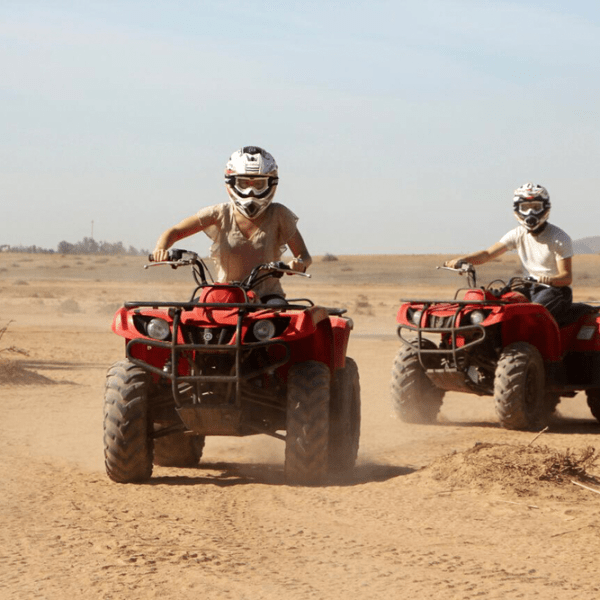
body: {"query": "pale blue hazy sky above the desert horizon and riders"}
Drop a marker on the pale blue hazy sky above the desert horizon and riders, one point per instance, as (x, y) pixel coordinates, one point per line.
(398, 126)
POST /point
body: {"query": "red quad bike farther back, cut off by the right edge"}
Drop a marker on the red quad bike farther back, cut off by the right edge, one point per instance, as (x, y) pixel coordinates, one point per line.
(495, 342)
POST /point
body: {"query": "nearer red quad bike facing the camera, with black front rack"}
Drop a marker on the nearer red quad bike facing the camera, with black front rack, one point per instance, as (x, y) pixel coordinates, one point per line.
(226, 364)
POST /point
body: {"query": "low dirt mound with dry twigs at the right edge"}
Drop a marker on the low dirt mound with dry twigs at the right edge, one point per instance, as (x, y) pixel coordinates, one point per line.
(524, 469)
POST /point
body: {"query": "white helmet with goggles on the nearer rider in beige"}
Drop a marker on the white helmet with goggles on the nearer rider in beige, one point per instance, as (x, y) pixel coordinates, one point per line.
(251, 179)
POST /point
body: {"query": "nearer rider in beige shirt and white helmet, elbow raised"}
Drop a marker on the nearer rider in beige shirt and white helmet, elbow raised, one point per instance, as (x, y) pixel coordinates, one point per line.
(250, 229)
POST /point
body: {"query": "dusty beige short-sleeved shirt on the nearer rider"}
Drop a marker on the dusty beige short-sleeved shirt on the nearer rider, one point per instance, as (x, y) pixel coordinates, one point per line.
(236, 255)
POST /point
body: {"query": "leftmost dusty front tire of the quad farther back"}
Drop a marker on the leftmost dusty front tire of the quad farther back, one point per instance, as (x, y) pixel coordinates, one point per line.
(415, 398)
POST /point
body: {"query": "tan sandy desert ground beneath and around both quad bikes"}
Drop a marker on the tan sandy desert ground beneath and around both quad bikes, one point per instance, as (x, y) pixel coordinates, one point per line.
(453, 510)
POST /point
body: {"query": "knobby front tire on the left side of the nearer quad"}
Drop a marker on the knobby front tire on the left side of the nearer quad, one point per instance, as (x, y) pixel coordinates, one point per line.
(127, 444)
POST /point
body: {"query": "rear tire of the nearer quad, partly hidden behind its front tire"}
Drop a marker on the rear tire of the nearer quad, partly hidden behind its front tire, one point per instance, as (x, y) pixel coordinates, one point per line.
(344, 418)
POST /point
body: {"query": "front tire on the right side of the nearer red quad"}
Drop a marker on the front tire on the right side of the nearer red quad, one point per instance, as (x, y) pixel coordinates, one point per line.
(306, 441)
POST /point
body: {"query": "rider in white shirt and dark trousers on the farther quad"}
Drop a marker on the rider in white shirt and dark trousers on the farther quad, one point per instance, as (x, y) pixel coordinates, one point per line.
(545, 250)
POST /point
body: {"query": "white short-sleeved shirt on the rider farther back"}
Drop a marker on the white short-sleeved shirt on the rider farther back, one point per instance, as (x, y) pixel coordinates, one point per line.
(539, 253)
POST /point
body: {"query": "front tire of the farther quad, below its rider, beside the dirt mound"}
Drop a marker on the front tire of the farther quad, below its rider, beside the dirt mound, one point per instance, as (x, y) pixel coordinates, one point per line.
(519, 393)
